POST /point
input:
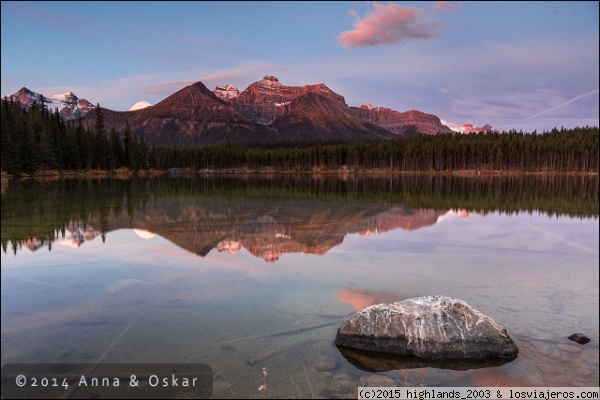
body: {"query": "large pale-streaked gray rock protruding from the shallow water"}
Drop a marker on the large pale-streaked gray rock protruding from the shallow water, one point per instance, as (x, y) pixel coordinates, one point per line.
(435, 327)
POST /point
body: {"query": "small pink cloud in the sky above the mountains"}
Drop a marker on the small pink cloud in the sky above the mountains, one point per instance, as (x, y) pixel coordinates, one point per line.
(394, 23)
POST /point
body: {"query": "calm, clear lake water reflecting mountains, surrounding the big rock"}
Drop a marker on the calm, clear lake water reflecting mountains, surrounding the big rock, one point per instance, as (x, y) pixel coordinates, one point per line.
(250, 272)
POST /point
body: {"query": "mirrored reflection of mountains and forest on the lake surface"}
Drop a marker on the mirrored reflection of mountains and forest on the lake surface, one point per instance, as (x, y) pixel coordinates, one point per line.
(269, 216)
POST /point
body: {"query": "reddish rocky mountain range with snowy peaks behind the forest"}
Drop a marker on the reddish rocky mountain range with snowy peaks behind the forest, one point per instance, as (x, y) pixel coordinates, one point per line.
(266, 111)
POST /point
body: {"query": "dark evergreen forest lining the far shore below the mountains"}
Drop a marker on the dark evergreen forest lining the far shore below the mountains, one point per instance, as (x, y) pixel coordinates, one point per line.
(37, 140)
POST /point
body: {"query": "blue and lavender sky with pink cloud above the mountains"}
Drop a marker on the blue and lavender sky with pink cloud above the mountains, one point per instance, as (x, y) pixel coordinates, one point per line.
(514, 65)
